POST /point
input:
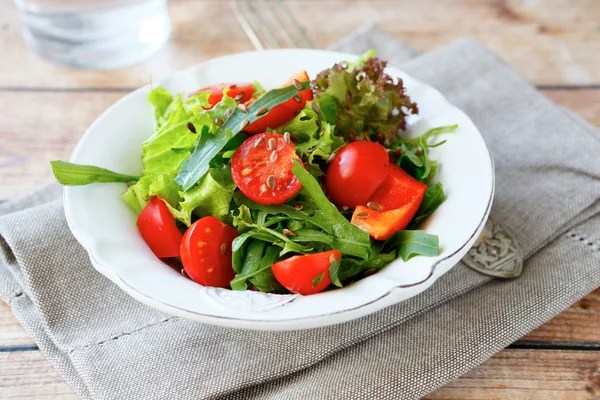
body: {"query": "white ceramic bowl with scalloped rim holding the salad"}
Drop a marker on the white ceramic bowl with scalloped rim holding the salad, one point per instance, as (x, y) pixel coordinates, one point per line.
(105, 226)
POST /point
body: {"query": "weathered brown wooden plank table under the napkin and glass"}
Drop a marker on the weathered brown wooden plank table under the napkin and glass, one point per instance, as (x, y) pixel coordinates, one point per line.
(555, 44)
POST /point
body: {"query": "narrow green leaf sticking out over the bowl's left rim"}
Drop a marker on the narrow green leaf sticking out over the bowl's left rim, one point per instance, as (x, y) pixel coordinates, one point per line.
(70, 174)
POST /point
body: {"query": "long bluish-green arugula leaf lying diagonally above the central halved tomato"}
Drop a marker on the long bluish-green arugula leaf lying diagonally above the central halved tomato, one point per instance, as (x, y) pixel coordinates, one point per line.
(197, 164)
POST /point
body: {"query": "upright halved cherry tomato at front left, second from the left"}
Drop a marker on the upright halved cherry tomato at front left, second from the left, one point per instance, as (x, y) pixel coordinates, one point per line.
(206, 252)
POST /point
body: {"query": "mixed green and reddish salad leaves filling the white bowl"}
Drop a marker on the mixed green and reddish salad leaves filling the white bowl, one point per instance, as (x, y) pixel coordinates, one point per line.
(189, 157)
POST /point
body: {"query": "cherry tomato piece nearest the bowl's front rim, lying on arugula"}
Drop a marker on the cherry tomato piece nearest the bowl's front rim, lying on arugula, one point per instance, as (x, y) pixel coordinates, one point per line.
(307, 274)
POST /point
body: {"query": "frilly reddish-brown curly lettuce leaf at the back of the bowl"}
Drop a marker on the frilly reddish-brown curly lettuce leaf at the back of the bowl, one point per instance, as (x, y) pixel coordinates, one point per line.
(368, 101)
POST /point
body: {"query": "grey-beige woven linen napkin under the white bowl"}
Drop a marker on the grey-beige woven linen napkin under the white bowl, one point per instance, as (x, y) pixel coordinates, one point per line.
(108, 346)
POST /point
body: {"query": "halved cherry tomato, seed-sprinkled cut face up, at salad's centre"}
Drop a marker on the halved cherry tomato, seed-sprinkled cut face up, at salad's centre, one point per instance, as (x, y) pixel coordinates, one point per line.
(262, 169)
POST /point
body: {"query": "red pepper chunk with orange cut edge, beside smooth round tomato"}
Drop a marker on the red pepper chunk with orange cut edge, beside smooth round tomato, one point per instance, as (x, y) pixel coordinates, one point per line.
(399, 196)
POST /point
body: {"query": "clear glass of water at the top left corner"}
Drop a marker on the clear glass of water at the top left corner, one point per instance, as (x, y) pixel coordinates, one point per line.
(97, 34)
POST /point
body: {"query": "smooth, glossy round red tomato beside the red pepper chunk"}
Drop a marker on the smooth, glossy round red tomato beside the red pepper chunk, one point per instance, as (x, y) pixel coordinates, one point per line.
(356, 172)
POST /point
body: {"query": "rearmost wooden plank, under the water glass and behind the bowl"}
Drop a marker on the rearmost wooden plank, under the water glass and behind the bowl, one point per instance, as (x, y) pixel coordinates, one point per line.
(548, 42)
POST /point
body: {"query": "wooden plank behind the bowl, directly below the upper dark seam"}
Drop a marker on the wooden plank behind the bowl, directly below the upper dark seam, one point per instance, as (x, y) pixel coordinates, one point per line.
(47, 128)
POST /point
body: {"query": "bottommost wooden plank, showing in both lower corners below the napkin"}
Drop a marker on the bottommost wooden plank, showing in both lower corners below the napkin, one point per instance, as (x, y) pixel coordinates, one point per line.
(510, 374)
